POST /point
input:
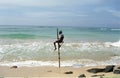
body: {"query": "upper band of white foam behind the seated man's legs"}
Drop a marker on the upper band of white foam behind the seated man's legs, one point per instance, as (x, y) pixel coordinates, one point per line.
(47, 46)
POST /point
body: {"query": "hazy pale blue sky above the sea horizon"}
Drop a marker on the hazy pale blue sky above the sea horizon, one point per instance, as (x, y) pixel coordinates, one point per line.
(60, 12)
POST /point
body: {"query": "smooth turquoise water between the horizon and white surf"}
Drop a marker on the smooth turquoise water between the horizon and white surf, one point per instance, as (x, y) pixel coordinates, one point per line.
(49, 32)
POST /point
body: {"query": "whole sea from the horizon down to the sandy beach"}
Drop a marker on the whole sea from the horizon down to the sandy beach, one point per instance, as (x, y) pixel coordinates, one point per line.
(29, 45)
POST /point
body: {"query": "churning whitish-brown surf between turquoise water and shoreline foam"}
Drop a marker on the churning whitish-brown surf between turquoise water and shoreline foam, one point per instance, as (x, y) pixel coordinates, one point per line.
(41, 50)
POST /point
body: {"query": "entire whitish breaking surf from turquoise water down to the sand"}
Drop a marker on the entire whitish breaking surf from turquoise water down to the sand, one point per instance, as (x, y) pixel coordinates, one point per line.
(21, 52)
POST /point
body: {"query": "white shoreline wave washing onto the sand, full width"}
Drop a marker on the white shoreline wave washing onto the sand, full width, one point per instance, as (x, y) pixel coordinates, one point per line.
(74, 63)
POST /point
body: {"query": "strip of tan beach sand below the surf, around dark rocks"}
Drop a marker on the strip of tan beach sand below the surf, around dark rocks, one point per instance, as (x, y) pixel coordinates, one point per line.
(53, 72)
